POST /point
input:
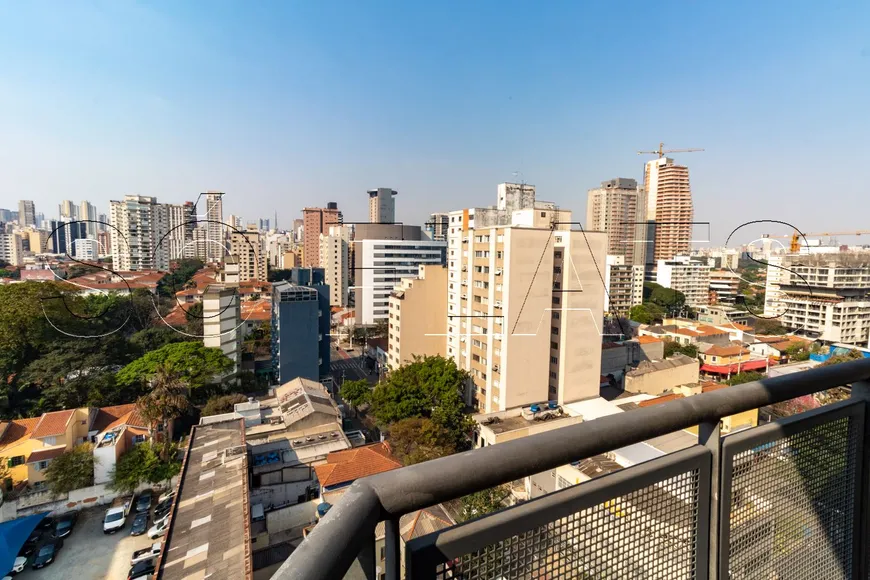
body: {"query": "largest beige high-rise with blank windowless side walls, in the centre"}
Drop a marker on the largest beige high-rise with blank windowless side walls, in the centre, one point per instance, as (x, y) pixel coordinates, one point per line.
(525, 303)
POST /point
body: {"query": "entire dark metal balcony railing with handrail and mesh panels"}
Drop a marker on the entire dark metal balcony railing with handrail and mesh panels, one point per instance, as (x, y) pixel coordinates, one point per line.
(784, 500)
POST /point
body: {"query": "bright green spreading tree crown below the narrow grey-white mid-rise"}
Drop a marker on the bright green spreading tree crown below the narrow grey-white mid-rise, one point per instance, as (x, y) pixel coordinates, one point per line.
(194, 364)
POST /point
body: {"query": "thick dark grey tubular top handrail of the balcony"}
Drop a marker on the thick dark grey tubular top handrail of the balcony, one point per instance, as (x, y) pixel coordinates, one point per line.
(334, 543)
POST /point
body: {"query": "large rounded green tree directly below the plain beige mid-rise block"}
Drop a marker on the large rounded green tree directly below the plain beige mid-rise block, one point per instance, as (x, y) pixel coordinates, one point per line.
(428, 387)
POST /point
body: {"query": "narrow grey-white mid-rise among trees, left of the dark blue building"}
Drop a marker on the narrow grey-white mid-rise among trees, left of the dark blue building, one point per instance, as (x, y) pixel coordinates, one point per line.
(221, 322)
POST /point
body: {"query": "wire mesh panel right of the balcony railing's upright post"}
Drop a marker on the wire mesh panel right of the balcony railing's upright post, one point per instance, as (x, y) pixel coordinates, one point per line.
(792, 504)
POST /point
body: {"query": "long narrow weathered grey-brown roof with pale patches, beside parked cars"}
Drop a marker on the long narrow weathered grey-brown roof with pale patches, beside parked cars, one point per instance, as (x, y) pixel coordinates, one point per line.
(209, 534)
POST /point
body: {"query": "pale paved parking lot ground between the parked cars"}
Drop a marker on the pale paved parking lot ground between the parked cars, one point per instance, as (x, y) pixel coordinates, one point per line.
(88, 554)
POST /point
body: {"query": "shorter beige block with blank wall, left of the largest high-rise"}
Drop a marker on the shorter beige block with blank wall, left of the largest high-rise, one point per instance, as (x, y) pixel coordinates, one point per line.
(418, 317)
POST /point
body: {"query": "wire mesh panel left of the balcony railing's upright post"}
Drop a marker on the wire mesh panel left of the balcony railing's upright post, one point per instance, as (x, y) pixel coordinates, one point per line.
(650, 531)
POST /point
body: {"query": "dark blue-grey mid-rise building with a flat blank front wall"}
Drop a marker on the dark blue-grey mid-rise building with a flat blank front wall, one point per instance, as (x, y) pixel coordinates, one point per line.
(300, 328)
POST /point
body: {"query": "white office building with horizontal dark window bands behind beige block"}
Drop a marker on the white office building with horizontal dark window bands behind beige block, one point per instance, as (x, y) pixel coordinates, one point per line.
(380, 265)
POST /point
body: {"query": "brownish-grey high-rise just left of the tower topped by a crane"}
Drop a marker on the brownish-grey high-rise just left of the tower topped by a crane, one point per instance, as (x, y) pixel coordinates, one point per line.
(618, 209)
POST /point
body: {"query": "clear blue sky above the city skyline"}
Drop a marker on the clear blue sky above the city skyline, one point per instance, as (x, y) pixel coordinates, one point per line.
(289, 104)
